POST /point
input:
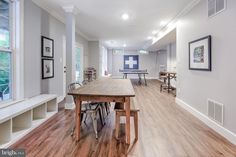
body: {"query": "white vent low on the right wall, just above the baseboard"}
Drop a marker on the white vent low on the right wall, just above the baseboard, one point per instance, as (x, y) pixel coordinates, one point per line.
(215, 111)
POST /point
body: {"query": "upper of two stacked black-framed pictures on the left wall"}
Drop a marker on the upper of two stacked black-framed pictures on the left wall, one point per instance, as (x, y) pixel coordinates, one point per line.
(47, 47)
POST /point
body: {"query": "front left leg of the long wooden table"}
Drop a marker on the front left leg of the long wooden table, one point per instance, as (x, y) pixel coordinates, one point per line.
(78, 113)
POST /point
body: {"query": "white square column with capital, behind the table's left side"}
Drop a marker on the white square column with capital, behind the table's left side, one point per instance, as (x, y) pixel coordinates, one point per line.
(70, 51)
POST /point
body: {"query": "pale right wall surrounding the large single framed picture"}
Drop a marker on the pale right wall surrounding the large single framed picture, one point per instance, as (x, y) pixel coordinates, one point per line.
(195, 87)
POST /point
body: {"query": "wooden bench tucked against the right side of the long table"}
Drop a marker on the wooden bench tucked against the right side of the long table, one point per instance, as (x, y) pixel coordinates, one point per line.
(119, 109)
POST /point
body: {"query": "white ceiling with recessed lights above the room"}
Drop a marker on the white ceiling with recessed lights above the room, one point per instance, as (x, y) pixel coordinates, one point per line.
(100, 19)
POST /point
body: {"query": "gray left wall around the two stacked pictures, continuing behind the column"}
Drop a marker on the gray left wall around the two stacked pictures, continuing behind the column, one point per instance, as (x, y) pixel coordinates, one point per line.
(38, 22)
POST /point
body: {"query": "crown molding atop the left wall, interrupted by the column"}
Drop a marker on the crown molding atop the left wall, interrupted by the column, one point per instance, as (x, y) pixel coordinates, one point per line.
(57, 16)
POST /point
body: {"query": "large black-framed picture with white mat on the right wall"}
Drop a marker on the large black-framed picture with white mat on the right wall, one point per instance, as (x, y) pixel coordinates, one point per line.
(200, 54)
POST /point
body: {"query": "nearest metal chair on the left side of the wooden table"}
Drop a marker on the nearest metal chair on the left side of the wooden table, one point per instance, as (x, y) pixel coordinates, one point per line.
(88, 108)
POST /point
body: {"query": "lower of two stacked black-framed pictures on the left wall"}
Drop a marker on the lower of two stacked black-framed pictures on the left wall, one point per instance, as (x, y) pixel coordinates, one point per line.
(47, 68)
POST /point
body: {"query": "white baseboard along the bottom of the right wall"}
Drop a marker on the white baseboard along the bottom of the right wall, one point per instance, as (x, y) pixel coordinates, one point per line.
(218, 128)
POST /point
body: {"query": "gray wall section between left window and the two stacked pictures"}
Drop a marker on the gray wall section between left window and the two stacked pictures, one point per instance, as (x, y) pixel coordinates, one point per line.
(32, 49)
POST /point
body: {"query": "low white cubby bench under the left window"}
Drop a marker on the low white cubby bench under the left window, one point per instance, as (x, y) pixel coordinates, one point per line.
(21, 118)
